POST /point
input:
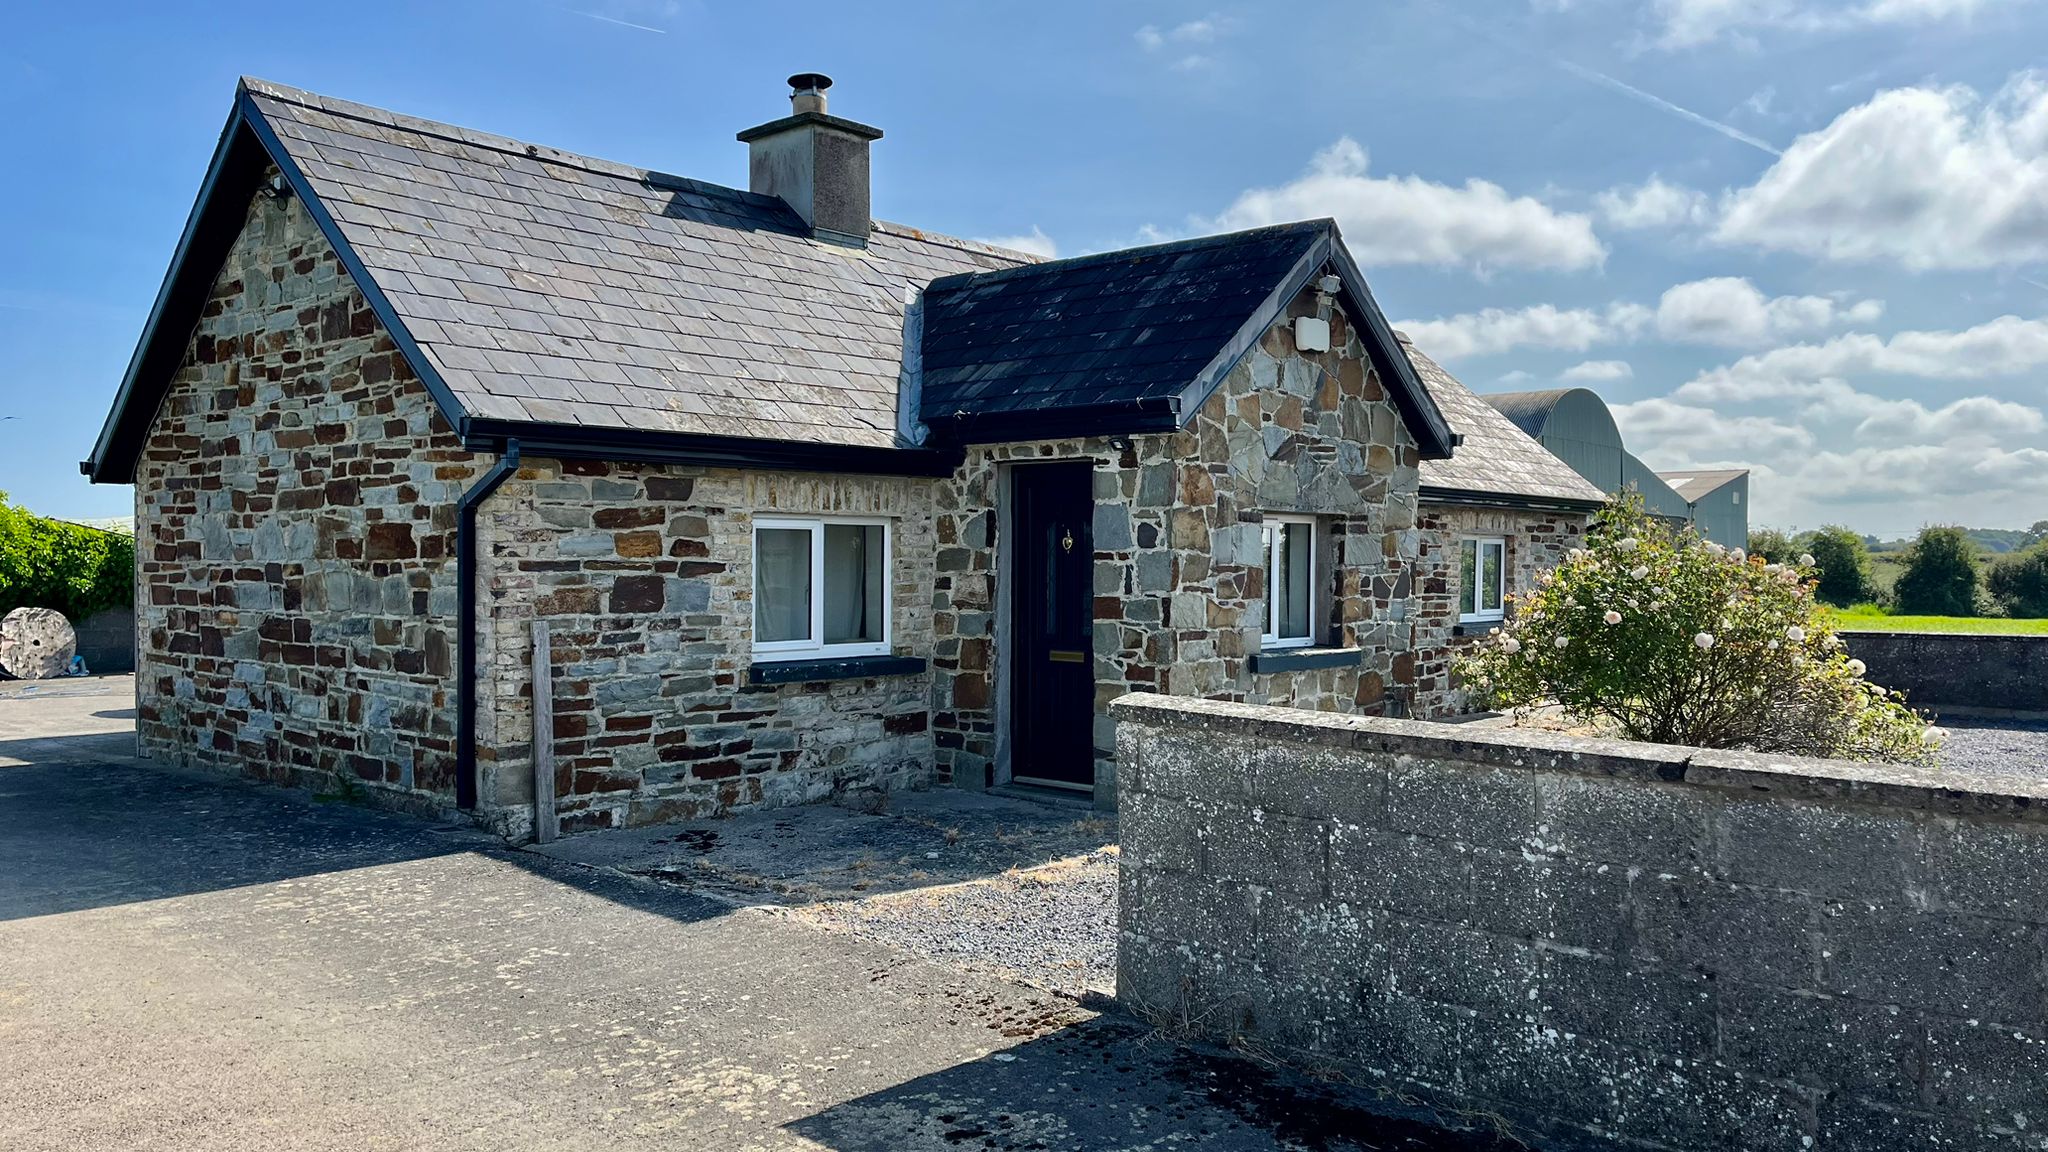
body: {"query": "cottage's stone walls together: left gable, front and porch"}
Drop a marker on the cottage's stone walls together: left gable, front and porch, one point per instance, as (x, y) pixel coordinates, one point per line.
(298, 591)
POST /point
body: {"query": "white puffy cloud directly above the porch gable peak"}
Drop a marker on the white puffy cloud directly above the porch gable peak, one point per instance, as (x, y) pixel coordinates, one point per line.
(1408, 220)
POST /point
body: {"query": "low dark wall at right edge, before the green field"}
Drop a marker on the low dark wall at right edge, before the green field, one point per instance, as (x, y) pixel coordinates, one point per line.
(1959, 673)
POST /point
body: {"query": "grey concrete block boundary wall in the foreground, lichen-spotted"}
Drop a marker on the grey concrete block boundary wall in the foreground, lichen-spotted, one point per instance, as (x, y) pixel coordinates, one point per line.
(1594, 944)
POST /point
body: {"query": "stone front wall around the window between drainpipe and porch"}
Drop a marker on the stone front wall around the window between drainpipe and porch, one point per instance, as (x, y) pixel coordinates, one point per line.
(646, 577)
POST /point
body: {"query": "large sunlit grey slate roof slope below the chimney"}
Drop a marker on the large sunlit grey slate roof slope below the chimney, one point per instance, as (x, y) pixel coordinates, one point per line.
(568, 290)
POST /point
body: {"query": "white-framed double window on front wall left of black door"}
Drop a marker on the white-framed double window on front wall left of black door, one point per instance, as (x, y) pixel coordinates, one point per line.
(820, 587)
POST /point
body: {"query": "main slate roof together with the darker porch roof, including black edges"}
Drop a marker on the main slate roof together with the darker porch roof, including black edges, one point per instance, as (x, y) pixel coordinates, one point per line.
(599, 308)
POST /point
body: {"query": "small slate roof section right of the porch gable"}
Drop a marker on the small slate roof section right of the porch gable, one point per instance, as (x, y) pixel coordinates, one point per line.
(1496, 458)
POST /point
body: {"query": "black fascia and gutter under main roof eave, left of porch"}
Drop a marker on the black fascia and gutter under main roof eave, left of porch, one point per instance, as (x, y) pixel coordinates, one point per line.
(646, 446)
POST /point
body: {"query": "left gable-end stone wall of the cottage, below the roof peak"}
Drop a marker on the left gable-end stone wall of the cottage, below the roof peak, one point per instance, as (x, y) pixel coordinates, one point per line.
(296, 536)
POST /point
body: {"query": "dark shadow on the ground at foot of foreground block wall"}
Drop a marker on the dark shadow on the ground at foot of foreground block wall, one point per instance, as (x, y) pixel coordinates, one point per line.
(1115, 1085)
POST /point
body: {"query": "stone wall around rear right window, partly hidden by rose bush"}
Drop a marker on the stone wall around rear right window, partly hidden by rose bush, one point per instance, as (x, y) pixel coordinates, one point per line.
(1535, 544)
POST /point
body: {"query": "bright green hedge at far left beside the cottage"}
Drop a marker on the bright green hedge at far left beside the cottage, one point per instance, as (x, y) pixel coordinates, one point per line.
(52, 565)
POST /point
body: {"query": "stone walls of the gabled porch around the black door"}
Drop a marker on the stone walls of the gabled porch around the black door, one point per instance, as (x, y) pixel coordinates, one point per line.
(1181, 573)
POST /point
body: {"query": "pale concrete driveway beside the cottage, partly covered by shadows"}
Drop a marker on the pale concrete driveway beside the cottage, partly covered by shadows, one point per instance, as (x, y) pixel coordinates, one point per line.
(189, 962)
